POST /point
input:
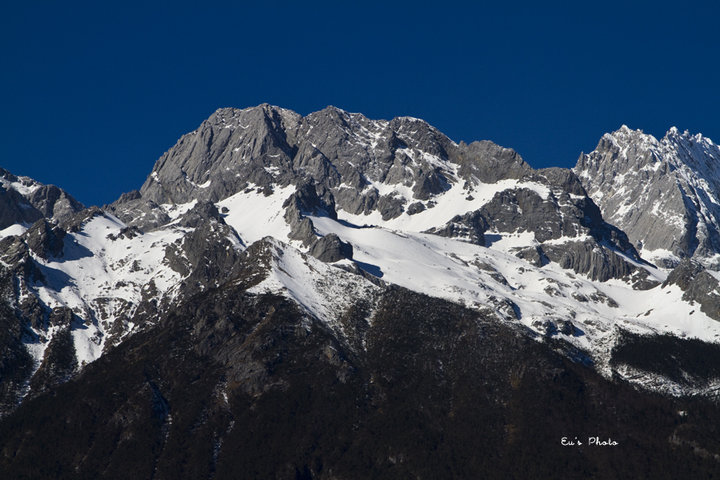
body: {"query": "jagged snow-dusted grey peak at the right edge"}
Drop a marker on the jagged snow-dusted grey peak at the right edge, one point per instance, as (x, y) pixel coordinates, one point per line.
(662, 193)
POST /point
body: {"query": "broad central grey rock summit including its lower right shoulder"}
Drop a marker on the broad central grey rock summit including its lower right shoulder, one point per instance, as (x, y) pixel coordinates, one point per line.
(397, 172)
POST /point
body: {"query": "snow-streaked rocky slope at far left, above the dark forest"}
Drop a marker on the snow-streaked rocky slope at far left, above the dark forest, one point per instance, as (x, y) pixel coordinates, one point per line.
(77, 293)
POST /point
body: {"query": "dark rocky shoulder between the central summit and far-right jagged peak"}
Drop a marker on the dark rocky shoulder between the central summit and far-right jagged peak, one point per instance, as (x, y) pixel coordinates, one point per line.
(567, 226)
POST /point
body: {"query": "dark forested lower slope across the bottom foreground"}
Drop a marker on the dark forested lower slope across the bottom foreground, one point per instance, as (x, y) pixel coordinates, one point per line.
(232, 385)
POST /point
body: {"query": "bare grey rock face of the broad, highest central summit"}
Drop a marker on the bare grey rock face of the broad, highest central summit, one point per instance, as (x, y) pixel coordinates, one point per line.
(347, 156)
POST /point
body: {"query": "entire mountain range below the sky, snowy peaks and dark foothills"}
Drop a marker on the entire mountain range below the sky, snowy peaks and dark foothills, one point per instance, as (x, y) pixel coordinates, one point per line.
(334, 297)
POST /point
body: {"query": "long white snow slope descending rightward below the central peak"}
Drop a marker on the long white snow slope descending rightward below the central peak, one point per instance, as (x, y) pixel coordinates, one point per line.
(548, 299)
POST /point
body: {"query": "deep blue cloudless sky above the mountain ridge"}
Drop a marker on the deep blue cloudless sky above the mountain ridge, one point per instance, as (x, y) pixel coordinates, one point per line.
(94, 92)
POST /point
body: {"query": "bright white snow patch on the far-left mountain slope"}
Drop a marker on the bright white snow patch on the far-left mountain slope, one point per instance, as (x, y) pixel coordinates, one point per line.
(101, 275)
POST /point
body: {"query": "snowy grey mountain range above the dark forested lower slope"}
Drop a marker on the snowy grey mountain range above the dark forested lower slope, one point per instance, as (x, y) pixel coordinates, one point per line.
(331, 217)
